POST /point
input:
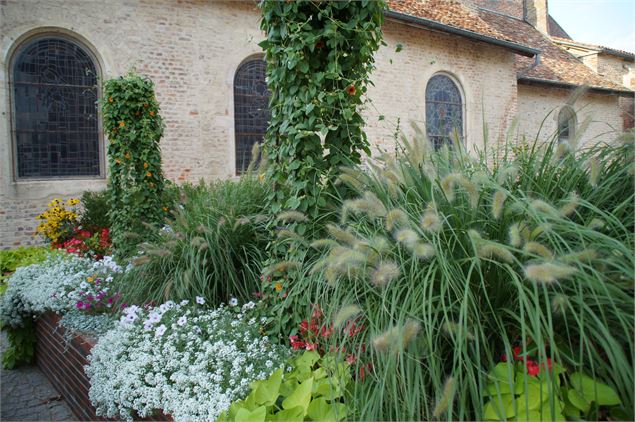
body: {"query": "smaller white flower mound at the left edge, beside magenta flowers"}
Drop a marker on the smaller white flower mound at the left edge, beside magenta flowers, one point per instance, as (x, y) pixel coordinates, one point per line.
(51, 285)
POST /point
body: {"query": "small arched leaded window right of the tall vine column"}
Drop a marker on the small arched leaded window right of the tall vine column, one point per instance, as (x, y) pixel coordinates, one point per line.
(444, 110)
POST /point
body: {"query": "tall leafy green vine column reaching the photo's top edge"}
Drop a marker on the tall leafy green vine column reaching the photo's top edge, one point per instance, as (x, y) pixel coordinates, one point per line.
(319, 57)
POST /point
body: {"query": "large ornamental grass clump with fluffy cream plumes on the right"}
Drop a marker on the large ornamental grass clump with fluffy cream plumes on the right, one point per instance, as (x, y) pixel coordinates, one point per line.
(517, 259)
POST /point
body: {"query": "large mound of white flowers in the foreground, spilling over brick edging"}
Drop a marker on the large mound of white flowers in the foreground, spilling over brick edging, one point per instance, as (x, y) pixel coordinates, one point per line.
(189, 361)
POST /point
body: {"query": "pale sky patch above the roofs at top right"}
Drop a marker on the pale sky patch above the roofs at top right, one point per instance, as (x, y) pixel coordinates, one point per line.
(610, 23)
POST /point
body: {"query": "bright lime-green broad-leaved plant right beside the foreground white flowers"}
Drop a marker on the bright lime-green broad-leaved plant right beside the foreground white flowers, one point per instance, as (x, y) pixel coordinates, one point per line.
(314, 389)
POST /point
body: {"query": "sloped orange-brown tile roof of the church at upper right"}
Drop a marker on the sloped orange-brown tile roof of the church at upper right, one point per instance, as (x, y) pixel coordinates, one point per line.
(556, 65)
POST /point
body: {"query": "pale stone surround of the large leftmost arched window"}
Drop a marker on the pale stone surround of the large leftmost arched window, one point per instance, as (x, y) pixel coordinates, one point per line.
(13, 54)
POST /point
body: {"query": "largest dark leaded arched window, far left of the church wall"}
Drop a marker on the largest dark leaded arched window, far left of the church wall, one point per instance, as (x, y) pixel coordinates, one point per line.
(55, 115)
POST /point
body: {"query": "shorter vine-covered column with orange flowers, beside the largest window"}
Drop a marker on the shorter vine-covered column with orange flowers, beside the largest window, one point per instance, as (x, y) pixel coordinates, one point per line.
(134, 128)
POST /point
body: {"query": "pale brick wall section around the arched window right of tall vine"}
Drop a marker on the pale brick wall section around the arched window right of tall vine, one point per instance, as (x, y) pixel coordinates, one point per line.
(485, 75)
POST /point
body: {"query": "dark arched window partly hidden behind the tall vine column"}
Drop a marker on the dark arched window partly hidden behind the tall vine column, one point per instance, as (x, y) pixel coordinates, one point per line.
(251, 109)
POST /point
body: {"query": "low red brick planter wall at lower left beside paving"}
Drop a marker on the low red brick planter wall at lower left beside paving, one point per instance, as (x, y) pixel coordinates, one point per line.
(63, 364)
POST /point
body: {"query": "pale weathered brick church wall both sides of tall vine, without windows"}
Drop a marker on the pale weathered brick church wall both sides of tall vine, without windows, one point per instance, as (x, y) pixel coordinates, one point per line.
(192, 48)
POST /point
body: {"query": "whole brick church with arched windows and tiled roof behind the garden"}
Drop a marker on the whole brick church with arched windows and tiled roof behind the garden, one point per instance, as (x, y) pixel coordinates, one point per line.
(465, 64)
